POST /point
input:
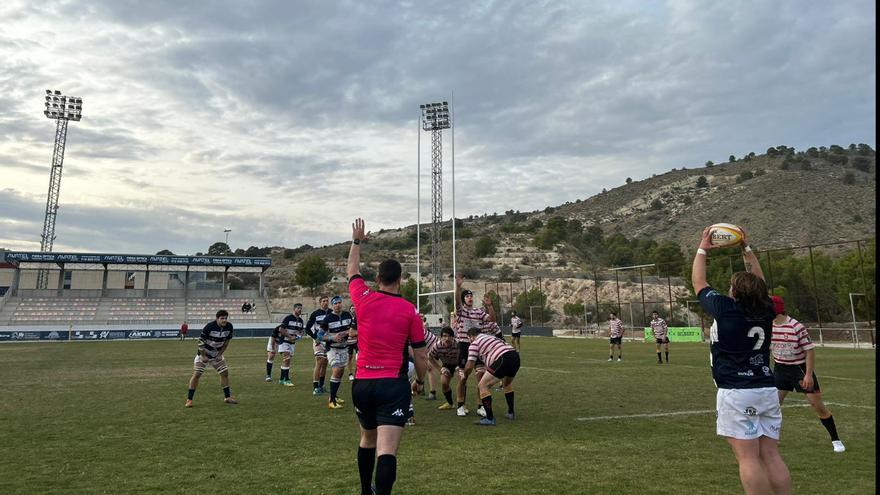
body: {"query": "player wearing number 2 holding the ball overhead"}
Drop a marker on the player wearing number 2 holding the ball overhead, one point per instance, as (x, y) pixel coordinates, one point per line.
(749, 414)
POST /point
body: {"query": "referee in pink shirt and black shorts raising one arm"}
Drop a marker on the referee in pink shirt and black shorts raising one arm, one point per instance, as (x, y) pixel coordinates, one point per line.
(381, 392)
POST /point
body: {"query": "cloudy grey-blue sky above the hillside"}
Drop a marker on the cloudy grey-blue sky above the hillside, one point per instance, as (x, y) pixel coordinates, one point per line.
(283, 121)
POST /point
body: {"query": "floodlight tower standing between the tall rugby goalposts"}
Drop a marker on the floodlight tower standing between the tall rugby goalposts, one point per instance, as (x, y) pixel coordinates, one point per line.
(435, 118)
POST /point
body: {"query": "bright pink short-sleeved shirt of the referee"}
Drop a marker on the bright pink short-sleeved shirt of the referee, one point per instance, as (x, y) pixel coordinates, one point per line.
(386, 322)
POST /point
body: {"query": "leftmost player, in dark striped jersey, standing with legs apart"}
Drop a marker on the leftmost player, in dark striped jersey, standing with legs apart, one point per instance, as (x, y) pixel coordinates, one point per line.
(212, 344)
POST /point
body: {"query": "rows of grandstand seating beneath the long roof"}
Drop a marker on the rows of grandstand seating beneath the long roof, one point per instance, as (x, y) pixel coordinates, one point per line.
(123, 310)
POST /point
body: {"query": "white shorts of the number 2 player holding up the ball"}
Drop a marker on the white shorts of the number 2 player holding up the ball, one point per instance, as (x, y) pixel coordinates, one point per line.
(748, 413)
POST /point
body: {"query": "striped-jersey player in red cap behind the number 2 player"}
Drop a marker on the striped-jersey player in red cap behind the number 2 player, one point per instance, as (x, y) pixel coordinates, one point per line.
(794, 367)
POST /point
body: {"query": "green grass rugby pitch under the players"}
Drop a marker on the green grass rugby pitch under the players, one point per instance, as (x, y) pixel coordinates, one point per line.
(108, 417)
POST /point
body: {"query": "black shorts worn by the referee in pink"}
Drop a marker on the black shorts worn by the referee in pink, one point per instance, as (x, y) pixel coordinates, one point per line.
(381, 401)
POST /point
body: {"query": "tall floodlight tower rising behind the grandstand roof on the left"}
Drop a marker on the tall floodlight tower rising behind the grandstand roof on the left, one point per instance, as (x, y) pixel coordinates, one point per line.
(62, 109)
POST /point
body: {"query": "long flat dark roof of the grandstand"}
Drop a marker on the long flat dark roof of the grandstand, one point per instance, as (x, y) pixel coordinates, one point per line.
(92, 261)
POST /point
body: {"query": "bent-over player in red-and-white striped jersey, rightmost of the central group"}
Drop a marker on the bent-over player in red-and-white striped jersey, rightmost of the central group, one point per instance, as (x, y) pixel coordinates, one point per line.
(503, 365)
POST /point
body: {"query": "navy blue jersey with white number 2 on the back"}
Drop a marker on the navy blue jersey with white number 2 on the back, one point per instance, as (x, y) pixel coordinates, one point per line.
(739, 342)
